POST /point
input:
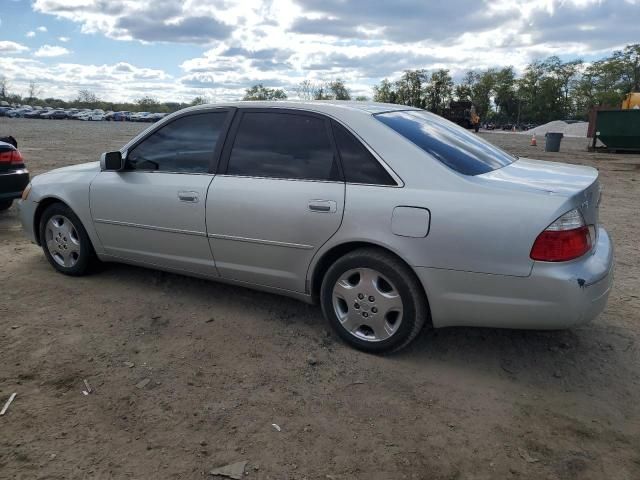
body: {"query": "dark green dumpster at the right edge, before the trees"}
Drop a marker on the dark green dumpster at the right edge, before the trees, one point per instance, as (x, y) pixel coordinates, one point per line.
(619, 129)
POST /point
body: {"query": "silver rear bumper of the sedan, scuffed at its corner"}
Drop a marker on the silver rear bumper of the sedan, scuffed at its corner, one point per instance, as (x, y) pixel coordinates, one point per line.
(554, 296)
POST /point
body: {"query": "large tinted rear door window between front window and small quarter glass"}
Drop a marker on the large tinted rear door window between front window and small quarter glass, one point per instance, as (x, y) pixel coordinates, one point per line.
(283, 145)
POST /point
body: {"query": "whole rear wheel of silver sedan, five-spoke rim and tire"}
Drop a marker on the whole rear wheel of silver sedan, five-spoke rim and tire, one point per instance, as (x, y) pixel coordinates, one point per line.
(373, 301)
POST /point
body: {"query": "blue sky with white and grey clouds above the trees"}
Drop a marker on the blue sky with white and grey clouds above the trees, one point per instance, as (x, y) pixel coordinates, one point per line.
(175, 50)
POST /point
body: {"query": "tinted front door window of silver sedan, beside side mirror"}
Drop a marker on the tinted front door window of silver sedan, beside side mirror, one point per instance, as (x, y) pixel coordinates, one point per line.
(186, 145)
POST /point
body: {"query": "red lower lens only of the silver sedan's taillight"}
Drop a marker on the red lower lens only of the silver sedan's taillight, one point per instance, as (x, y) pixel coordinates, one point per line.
(560, 246)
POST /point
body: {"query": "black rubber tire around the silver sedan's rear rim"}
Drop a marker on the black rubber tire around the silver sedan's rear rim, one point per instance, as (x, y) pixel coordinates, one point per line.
(415, 309)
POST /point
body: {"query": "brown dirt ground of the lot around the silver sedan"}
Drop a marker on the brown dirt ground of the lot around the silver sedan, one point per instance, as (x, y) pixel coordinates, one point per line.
(225, 363)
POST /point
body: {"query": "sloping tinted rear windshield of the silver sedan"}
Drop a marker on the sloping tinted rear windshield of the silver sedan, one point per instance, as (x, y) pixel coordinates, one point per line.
(457, 148)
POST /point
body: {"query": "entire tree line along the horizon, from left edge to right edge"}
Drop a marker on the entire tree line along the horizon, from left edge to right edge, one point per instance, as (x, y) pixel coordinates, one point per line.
(548, 89)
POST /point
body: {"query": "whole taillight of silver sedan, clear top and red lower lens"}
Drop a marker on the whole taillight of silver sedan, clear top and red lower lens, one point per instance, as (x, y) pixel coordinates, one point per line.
(565, 239)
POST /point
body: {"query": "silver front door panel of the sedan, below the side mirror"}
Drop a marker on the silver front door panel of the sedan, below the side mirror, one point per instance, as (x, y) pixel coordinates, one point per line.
(153, 217)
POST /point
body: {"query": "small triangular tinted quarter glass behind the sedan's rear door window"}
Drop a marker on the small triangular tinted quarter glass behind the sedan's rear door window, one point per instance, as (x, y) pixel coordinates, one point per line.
(359, 165)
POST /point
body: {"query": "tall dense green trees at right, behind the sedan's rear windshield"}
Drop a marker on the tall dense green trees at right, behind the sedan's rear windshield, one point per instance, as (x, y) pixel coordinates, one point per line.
(549, 89)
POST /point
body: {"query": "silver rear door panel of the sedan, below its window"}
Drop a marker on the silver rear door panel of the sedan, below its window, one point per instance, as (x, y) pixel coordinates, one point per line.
(263, 231)
